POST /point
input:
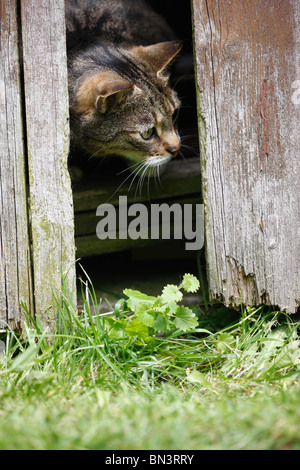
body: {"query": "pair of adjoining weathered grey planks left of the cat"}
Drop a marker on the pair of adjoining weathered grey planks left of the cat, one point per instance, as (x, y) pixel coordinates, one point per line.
(37, 226)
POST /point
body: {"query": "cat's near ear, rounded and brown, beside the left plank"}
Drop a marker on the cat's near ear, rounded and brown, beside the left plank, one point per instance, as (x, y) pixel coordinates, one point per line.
(97, 91)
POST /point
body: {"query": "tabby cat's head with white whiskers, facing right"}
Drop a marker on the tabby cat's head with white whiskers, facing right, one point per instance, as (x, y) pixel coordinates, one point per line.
(126, 107)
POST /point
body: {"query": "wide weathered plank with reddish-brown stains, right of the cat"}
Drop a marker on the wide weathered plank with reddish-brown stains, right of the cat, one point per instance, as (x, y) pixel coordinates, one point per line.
(248, 71)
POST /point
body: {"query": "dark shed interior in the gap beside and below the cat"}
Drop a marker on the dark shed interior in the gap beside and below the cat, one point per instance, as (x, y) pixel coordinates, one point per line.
(146, 265)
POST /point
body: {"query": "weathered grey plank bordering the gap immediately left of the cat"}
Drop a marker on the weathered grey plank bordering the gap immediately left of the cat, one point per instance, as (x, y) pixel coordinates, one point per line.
(46, 99)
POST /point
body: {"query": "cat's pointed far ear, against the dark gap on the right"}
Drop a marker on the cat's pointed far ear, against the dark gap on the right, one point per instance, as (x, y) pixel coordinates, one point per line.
(158, 56)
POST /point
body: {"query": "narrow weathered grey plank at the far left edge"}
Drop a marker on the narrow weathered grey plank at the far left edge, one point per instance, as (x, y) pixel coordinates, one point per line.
(15, 272)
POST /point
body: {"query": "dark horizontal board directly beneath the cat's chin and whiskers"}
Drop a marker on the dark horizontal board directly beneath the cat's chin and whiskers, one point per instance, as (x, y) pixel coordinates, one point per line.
(182, 177)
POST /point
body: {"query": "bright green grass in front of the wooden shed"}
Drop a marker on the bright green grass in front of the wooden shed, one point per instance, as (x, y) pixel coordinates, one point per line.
(227, 386)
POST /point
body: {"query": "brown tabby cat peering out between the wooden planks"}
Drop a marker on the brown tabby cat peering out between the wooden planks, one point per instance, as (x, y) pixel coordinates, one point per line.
(121, 103)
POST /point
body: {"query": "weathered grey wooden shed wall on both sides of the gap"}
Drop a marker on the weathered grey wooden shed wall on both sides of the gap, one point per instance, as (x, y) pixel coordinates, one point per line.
(248, 71)
